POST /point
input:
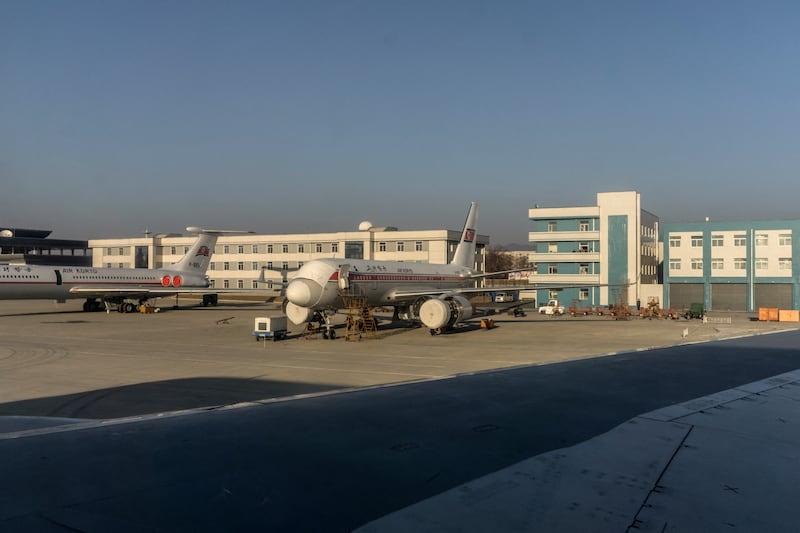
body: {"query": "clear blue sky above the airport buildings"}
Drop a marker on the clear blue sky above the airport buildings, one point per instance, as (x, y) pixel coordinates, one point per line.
(302, 116)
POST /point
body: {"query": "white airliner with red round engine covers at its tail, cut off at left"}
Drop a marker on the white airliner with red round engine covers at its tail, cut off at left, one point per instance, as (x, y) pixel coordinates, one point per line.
(115, 286)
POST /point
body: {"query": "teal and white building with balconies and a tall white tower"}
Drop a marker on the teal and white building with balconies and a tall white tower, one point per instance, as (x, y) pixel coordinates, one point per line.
(612, 247)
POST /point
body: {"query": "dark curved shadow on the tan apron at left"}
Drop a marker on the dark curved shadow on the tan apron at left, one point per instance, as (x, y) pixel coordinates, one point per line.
(159, 396)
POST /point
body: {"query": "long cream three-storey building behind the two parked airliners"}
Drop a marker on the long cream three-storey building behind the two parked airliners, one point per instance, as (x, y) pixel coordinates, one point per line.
(238, 259)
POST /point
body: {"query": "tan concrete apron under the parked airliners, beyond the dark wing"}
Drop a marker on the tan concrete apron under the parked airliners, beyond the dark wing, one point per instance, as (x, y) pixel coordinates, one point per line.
(58, 361)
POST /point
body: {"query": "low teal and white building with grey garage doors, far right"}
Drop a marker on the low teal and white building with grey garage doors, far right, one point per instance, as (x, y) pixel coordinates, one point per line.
(732, 266)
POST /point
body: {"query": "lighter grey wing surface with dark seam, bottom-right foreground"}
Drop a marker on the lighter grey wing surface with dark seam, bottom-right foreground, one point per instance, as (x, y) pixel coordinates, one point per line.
(725, 462)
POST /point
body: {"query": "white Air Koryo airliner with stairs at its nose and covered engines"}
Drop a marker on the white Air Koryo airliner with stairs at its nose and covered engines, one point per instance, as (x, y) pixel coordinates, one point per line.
(429, 292)
